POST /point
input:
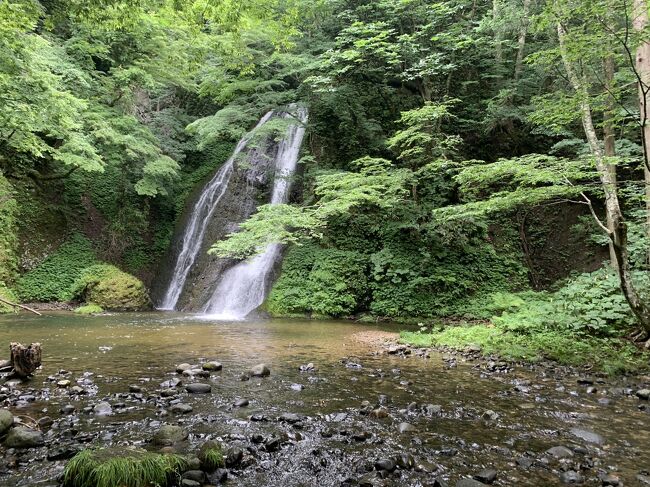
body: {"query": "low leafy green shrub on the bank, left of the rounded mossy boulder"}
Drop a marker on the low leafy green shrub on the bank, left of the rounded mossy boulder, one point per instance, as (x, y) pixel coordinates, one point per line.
(54, 278)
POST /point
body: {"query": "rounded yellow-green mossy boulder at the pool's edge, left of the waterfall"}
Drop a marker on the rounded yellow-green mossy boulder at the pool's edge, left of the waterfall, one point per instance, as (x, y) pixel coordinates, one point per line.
(112, 289)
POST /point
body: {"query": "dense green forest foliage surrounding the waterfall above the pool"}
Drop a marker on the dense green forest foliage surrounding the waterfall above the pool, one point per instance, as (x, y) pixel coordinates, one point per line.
(438, 133)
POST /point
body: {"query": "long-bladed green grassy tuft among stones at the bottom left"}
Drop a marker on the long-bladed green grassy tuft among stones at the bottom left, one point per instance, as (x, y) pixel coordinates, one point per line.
(122, 468)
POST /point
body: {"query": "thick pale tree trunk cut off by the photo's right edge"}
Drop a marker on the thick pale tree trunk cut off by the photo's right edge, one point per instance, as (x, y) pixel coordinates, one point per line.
(640, 22)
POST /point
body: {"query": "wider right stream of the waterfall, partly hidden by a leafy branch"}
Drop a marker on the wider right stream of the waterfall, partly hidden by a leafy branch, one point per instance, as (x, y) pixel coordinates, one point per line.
(242, 288)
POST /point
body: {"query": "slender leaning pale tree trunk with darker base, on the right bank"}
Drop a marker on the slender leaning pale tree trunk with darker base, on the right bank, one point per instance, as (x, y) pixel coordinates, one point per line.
(618, 233)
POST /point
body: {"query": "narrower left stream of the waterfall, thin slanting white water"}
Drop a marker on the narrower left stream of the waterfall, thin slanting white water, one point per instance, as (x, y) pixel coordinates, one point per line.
(200, 215)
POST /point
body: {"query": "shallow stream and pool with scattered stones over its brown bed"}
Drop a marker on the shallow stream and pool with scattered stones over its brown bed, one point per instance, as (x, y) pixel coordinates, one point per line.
(313, 403)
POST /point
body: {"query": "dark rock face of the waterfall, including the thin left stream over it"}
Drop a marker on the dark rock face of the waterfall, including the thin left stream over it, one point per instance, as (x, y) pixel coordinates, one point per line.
(189, 276)
